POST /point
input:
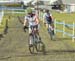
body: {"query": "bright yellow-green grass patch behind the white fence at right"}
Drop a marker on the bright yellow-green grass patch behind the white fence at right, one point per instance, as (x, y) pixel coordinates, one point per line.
(67, 17)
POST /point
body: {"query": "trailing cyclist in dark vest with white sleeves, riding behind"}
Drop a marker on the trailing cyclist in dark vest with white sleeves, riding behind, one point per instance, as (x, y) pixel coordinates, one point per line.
(48, 21)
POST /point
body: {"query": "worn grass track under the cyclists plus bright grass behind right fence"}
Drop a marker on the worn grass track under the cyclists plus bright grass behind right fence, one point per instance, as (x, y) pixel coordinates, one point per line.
(14, 46)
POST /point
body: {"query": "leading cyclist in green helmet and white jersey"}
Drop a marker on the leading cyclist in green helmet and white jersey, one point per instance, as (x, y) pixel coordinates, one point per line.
(32, 21)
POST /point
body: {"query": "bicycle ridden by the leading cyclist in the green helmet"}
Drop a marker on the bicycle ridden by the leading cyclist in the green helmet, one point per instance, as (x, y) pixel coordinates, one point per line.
(37, 44)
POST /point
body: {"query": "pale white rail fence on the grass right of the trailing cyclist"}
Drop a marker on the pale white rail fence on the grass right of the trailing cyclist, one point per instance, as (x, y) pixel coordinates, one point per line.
(69, 26)
